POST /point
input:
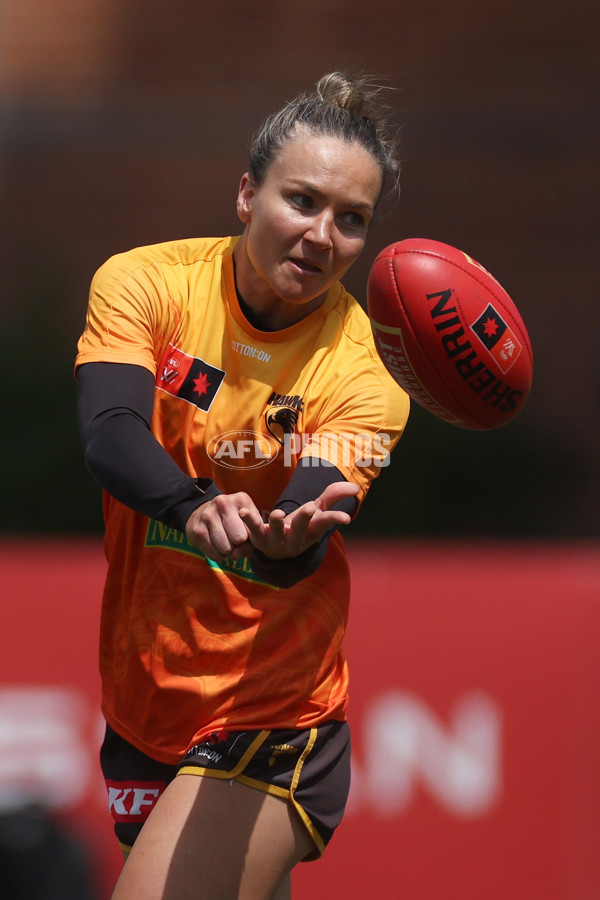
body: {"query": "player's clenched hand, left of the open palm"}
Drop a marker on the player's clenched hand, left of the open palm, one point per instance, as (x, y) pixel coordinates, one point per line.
(217, 529)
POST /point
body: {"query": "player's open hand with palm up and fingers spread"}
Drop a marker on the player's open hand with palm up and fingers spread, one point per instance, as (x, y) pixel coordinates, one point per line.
(284, 536)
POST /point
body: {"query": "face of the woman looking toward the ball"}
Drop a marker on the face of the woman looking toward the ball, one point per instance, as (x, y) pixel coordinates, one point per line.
(306, 223)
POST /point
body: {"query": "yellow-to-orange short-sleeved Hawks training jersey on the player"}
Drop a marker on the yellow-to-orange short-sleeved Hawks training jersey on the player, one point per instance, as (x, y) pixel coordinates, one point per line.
(189, 646)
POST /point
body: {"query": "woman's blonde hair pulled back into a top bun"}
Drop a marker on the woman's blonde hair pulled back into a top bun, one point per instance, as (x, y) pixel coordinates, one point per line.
(340, 106)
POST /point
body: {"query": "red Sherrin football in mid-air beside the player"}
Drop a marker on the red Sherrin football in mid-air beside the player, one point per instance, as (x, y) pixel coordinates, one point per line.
(449, 333)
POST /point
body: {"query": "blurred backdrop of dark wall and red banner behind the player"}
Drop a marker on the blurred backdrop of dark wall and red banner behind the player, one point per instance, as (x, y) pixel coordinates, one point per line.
(124, 123)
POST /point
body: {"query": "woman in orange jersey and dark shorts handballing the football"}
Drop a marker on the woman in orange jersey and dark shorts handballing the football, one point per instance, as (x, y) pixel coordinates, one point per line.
(235, 410)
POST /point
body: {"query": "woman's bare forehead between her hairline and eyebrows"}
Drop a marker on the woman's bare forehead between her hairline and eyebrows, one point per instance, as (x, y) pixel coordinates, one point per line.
(329, 164)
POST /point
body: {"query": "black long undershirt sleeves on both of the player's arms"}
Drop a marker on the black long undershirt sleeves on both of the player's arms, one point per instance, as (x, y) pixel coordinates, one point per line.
(115, 403)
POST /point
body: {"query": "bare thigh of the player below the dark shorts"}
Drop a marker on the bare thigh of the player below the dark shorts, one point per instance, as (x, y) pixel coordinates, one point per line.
(217, 839)
